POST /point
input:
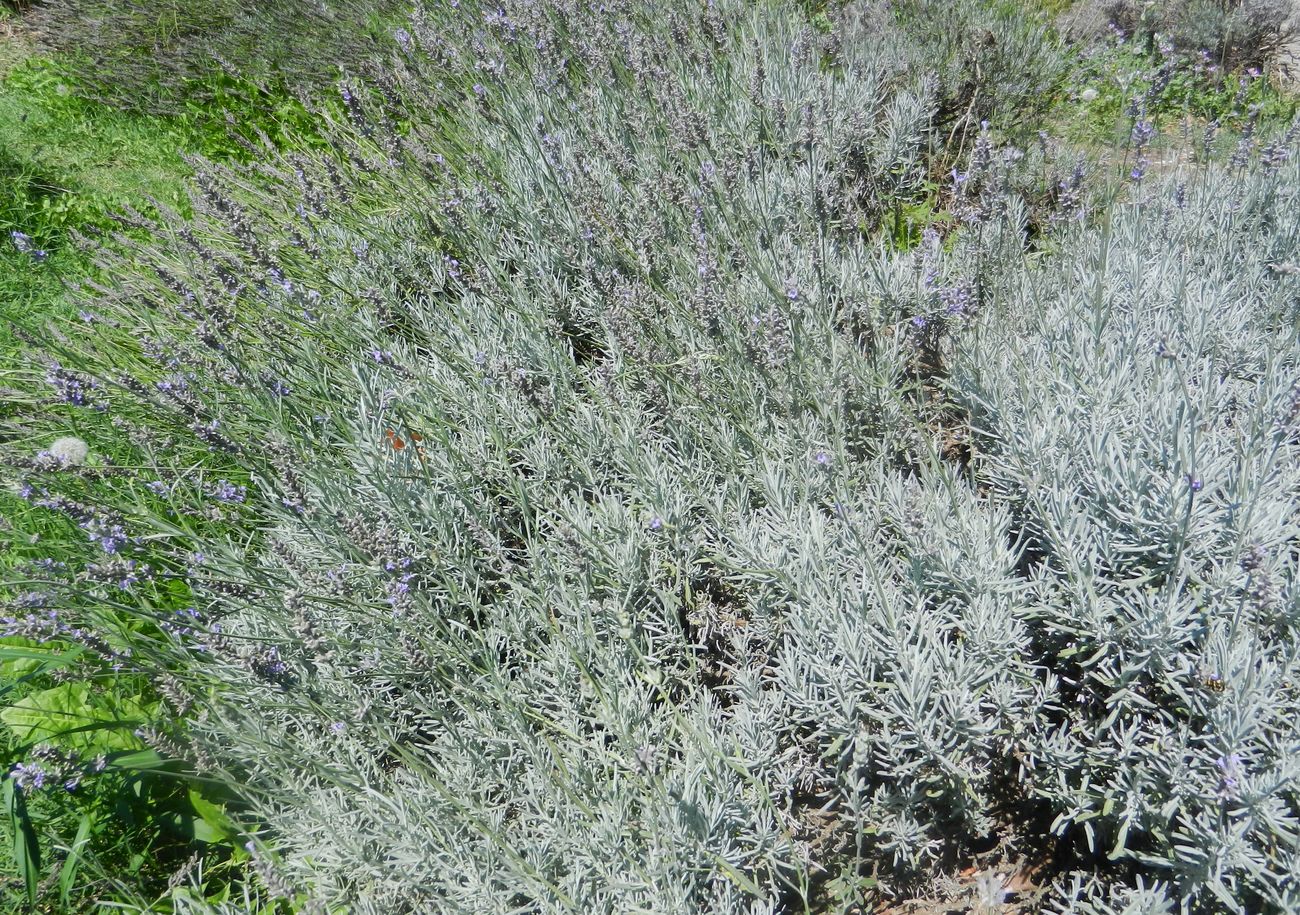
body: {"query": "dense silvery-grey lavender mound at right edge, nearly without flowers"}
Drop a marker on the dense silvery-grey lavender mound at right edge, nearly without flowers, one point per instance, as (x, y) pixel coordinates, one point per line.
(1138, 415)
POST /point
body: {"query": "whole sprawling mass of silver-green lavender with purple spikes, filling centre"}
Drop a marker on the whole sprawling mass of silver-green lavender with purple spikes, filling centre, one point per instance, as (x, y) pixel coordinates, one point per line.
(627, 524)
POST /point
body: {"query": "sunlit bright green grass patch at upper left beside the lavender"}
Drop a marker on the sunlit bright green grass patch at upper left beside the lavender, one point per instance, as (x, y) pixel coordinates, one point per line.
(68, 164)
